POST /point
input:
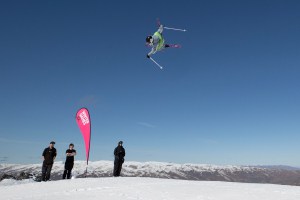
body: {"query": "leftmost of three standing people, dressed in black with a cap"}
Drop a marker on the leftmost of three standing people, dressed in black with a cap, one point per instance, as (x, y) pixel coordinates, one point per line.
(49, 155)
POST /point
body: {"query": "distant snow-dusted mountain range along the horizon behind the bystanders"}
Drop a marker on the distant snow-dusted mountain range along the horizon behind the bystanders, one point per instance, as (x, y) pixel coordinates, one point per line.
(284, 175)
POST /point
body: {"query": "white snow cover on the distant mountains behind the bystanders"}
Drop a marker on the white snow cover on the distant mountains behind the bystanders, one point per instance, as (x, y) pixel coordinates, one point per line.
(130, 168)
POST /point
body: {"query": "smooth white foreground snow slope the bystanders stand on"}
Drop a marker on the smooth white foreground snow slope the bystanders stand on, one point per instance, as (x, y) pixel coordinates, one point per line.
(137, 188)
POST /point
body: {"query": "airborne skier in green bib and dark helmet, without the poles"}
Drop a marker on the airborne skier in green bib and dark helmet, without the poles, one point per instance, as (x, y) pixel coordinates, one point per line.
(156, 41)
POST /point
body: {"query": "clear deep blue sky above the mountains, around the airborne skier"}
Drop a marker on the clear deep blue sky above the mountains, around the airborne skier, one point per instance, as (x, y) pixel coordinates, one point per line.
(230, 95)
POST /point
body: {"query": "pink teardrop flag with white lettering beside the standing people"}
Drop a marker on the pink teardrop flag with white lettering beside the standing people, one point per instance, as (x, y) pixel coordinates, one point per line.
(84, 122)
